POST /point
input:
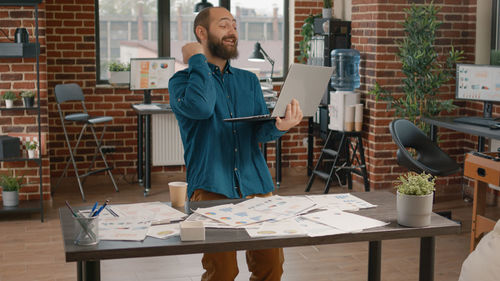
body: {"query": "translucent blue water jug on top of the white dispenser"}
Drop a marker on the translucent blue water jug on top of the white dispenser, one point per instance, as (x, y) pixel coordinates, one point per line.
(345, 63)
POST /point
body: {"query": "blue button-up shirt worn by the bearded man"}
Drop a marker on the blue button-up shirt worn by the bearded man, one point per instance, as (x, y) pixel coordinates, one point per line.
(218, 153)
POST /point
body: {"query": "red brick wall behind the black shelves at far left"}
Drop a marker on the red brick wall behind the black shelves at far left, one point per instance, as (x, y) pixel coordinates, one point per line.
(17, 75)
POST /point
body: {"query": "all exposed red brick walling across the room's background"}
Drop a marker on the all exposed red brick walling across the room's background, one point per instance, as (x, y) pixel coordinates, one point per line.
(68, 56)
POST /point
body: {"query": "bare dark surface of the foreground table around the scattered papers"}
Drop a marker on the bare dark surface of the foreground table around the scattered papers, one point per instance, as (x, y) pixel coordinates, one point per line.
(238, 239)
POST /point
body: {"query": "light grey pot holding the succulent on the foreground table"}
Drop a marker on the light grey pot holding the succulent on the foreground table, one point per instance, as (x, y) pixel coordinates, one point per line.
(414, 210)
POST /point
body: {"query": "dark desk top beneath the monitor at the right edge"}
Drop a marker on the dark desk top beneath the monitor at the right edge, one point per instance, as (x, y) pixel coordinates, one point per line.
(448, 123)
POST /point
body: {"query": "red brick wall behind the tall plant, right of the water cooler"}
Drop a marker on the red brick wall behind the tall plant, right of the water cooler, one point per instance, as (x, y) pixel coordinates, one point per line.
(375, 29)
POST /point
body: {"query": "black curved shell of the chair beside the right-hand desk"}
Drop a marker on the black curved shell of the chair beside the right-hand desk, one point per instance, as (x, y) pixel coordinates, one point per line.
(430, 158)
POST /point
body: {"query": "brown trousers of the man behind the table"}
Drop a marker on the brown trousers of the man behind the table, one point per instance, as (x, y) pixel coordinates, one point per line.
(265, 265)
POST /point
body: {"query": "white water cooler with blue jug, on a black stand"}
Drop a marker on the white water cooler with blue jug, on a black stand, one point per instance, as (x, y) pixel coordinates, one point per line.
(345, 79)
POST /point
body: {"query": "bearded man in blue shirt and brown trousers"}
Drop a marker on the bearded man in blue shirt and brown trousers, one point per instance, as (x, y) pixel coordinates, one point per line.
(223, 160)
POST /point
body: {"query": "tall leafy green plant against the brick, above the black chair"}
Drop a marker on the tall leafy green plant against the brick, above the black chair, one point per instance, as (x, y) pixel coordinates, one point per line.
(424, 73)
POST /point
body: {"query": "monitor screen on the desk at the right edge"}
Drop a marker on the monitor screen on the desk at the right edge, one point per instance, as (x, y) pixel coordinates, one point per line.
(478, 82)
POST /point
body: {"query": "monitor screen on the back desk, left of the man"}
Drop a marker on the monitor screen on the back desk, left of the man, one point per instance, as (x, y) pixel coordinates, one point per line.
(150, 73)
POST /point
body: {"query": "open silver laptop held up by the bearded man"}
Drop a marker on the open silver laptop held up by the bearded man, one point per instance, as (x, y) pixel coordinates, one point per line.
(306, 83)
